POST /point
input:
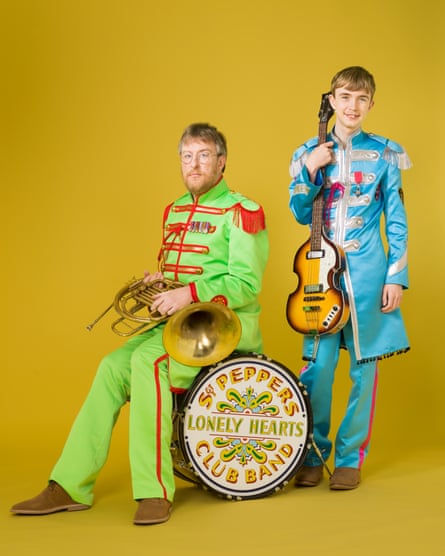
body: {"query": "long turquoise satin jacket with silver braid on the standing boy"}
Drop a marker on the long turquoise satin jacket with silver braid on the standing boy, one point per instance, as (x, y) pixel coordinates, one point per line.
(363, 184)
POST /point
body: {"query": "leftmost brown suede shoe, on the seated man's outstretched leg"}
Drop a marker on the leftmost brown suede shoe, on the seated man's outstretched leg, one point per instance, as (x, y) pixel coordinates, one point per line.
(52, 499)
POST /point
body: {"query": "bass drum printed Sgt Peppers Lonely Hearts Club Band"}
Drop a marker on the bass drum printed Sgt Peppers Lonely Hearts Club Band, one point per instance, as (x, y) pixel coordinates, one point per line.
(243, 429)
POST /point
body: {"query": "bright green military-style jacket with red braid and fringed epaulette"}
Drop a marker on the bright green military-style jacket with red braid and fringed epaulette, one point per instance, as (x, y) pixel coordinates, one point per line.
(218, 244)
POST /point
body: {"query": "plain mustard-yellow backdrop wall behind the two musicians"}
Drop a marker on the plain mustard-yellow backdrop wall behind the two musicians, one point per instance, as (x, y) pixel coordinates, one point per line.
(95, 95)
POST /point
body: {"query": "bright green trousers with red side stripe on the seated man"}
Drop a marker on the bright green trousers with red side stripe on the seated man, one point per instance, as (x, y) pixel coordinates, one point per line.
(140, 372)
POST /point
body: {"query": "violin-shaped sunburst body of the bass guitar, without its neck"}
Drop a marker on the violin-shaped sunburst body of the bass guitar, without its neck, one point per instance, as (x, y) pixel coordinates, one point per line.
(318, 305)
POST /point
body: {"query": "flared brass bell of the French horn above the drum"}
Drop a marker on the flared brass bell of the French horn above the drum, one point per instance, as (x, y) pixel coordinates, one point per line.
(202, 334)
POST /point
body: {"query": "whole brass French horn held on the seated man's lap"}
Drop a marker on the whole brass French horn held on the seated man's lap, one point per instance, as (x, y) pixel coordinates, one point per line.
(198, 335)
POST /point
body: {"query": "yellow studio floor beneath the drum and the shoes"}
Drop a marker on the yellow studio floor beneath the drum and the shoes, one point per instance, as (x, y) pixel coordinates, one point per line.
(399, 508)
